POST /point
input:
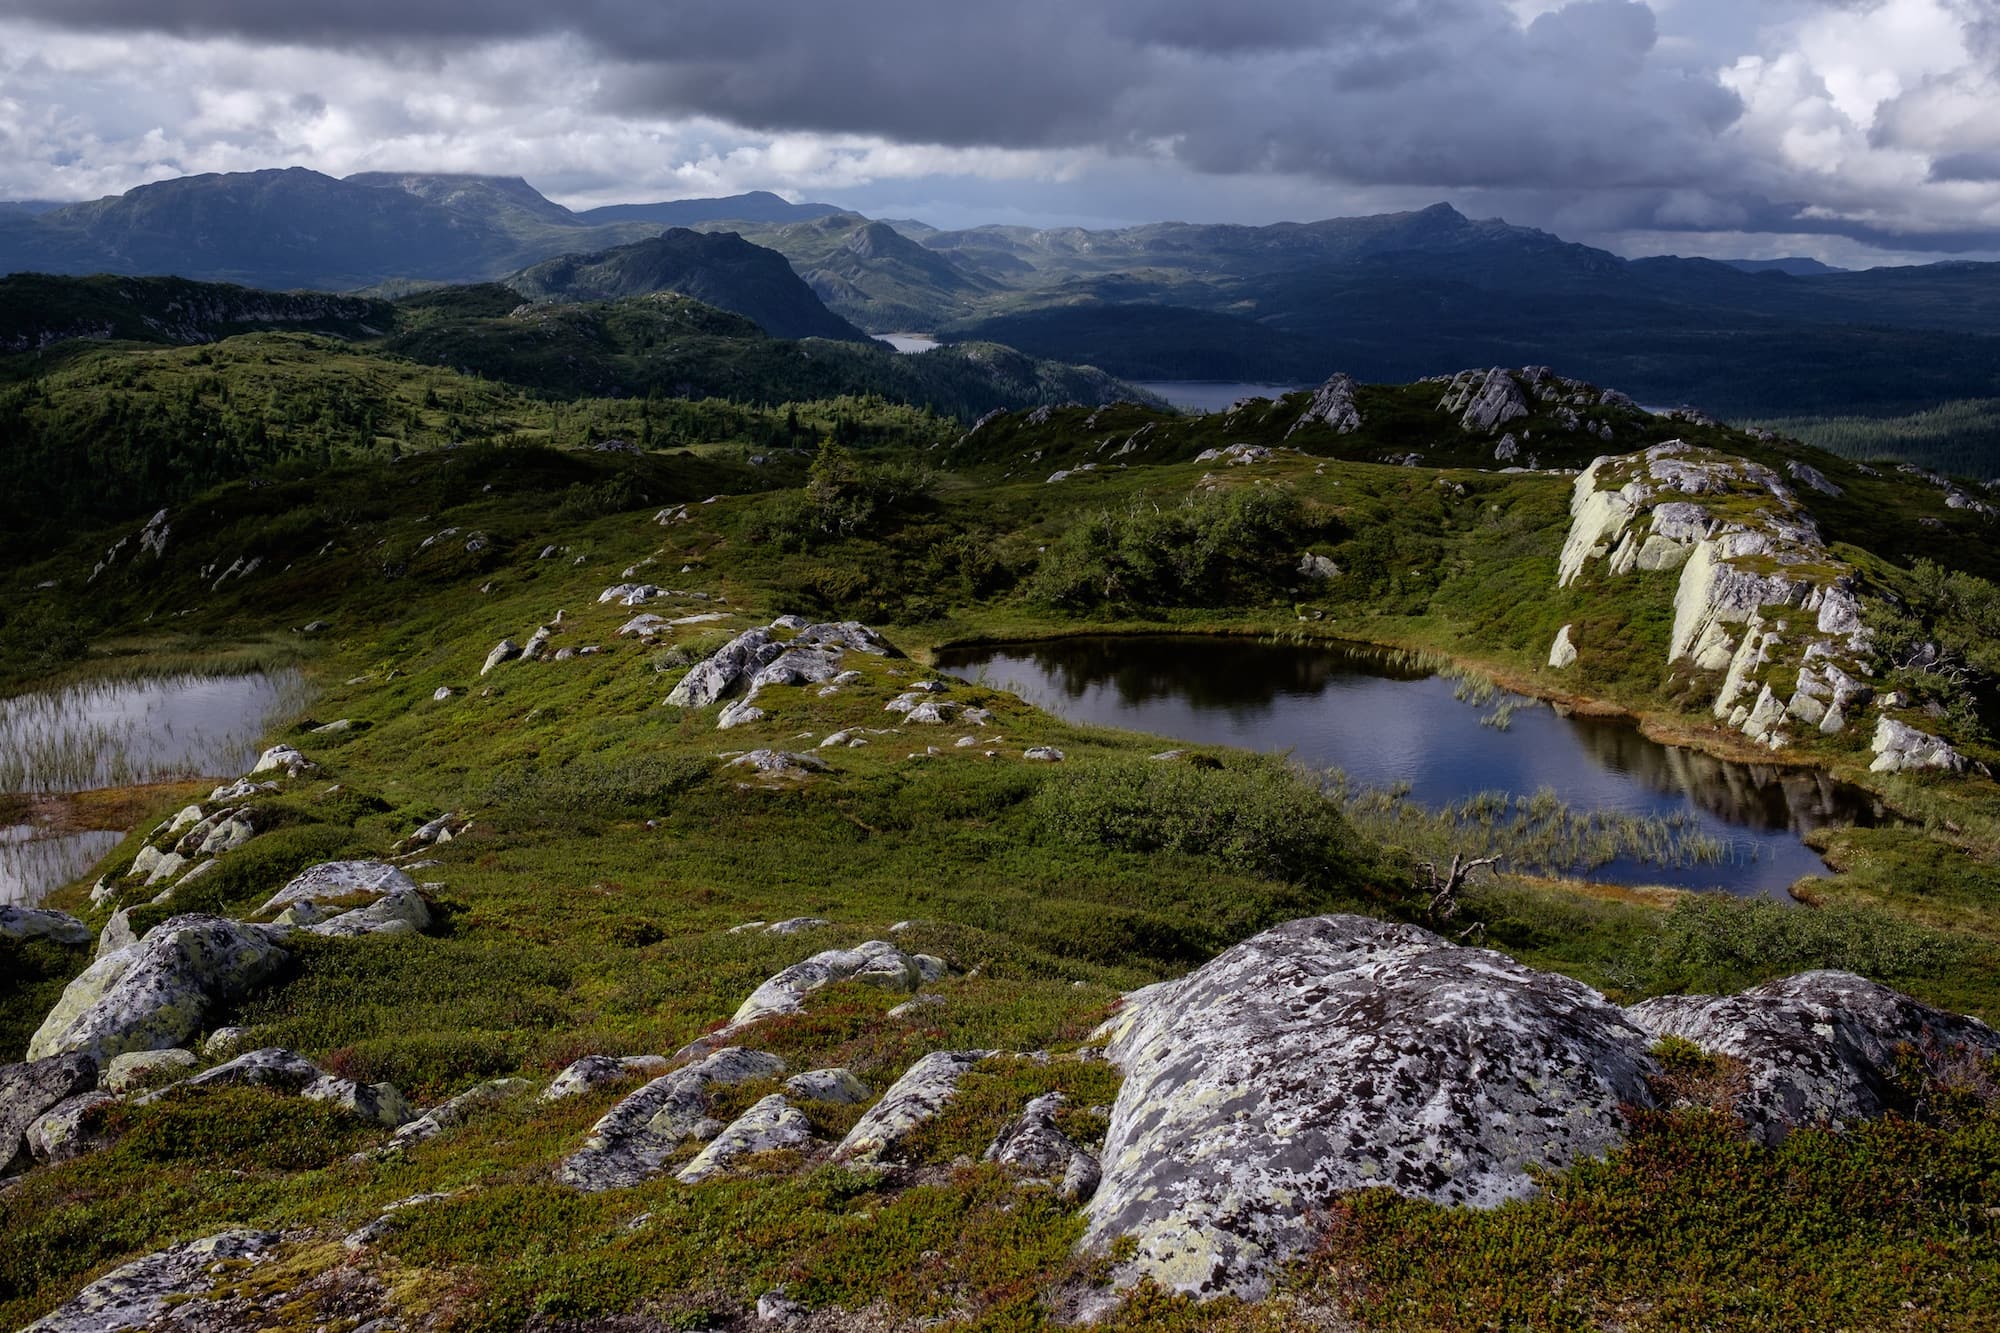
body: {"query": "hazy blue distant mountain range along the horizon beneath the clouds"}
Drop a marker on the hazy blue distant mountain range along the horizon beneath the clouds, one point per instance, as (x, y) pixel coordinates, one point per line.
(1387, 299)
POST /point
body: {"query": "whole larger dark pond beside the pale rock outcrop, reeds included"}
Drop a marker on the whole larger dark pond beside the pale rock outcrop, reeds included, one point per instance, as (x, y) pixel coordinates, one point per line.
(1601, 800)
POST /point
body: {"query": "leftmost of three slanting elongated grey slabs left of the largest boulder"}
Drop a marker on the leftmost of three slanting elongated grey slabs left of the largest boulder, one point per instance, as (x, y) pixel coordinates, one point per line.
(635, 1138)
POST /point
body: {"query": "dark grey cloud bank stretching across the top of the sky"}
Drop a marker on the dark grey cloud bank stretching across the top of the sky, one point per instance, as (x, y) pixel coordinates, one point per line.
(1367, 91)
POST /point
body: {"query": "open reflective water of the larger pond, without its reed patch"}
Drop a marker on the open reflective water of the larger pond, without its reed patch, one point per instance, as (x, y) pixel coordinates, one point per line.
(1387, 726)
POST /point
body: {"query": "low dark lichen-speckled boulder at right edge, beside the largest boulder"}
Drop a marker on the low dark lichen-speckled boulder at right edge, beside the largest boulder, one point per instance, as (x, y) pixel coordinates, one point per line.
(1817, 1048)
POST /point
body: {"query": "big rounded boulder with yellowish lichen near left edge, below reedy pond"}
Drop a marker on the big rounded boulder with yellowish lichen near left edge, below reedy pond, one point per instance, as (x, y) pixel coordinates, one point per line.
(155, 994)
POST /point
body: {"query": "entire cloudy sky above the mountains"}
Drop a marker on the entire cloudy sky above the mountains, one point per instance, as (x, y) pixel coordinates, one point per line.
(1851, 131)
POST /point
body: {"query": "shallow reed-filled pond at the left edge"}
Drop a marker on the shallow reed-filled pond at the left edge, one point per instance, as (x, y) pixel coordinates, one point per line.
(119, 734)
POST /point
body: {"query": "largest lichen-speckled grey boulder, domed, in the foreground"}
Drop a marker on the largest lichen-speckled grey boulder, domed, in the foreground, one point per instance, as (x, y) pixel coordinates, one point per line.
(1339, 1054)
